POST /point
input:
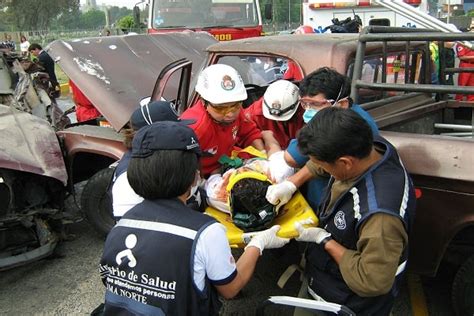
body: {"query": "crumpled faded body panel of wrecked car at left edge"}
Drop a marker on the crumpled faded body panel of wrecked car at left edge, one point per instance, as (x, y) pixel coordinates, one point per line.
(30, 144)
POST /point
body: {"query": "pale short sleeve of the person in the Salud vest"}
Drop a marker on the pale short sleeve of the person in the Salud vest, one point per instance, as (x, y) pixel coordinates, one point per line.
(213, 256)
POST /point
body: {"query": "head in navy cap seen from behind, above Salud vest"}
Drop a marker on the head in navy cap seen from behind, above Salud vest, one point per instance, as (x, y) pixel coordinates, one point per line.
(165, 160)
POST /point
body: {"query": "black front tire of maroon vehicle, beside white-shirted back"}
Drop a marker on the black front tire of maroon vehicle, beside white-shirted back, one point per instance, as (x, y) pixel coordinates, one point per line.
(96, 203)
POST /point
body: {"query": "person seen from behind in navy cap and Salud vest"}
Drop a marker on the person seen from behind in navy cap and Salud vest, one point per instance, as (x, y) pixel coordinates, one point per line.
(163, 258)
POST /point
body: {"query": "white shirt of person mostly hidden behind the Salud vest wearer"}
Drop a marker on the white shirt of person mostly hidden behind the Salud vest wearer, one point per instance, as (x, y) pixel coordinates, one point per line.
(123, 196)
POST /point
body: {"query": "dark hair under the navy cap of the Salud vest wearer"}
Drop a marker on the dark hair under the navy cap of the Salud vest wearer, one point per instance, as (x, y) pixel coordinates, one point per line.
(163, 175)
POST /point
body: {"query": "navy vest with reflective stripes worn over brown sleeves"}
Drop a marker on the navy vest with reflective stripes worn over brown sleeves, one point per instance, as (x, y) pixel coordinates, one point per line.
(385, 188)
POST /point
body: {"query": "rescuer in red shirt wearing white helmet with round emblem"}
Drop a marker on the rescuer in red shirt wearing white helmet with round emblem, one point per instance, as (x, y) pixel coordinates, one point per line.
(219, 119)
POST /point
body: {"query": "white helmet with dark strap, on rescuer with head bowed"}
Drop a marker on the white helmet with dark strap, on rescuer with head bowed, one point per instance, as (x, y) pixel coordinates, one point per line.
(280, 100)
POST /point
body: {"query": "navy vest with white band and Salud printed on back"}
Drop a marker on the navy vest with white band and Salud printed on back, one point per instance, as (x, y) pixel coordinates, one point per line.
(148, 259)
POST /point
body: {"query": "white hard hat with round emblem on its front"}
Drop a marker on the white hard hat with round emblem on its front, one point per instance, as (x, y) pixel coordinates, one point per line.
(221, 83)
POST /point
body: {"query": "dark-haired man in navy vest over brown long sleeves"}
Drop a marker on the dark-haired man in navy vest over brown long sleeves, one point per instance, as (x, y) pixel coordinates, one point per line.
(358, 253)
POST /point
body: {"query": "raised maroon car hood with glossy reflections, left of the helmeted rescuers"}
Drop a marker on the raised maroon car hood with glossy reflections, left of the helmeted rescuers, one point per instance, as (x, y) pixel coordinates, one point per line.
(116, 72)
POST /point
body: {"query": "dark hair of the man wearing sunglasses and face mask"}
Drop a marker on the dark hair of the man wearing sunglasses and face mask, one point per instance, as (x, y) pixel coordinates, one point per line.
(327, 81)
